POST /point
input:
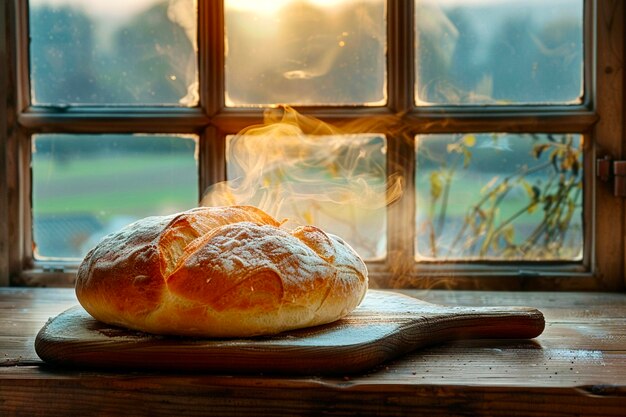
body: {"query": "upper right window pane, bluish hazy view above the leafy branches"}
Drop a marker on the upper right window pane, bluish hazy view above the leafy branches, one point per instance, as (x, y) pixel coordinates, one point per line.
(499, 52)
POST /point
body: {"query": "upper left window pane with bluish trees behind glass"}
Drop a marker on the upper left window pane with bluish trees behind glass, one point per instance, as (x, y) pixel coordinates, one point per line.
(140, 52)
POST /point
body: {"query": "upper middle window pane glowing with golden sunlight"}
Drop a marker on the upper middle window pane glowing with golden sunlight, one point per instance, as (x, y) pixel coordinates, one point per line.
(310, 52)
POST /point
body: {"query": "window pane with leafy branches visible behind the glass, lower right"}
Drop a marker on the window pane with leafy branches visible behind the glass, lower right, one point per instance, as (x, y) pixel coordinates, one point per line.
(499, 197)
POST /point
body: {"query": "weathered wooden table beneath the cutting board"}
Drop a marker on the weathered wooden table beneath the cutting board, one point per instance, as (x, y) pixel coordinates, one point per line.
(576, 367)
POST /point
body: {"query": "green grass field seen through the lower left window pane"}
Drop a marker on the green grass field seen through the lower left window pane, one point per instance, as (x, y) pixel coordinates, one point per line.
(137, 185)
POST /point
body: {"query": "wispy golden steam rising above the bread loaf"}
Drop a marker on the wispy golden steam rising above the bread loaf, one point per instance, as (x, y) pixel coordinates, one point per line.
(275, 156)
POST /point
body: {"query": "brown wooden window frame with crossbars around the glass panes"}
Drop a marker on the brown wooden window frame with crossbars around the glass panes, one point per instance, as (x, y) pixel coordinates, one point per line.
(600, 118)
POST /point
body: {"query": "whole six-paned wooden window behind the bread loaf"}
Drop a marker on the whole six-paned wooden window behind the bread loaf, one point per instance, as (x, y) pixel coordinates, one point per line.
(447, 151)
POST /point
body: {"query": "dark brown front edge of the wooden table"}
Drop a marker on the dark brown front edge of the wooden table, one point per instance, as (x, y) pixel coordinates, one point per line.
(166, 395)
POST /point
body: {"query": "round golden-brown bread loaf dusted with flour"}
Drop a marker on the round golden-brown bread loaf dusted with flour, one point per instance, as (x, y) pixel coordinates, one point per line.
(220, 272)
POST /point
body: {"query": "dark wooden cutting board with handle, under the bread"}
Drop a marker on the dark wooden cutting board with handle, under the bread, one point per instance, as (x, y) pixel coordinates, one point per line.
(385, 326)
